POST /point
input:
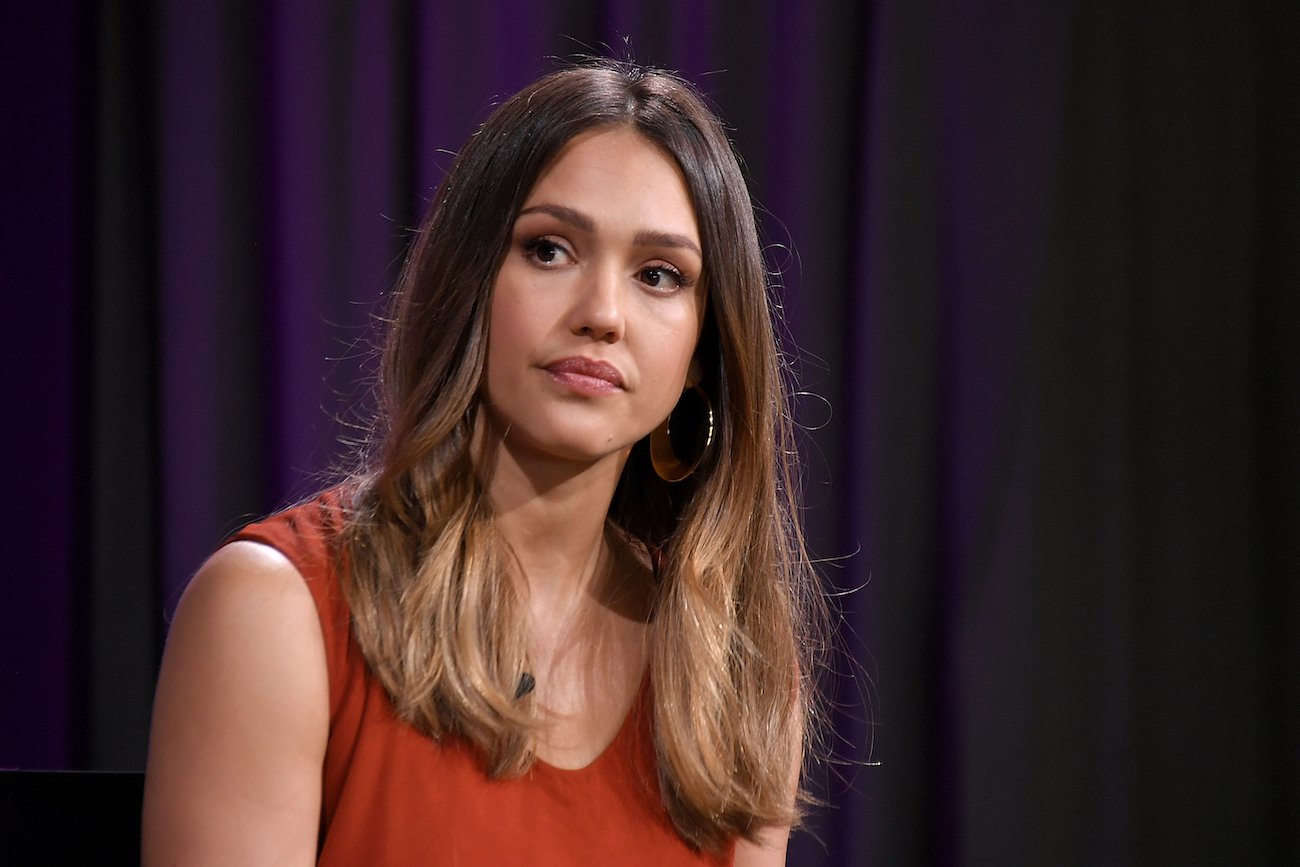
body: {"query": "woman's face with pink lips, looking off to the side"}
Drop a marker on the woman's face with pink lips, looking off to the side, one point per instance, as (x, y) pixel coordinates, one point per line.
(599, 305)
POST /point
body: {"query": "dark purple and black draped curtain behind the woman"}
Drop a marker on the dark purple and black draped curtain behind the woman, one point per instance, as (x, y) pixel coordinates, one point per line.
(1039, 258)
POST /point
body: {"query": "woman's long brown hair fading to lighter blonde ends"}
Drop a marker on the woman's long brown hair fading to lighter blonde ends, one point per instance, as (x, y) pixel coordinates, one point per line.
(736, 612)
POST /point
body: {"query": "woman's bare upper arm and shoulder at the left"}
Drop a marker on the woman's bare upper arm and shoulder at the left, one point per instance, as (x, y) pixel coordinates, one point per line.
(240, 721)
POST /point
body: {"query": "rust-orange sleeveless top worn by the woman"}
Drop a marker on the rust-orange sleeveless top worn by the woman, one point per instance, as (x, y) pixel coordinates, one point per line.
(393, 796)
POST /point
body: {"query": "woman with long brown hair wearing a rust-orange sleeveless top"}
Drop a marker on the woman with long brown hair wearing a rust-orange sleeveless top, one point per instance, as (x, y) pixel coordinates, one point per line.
(562, 614)
